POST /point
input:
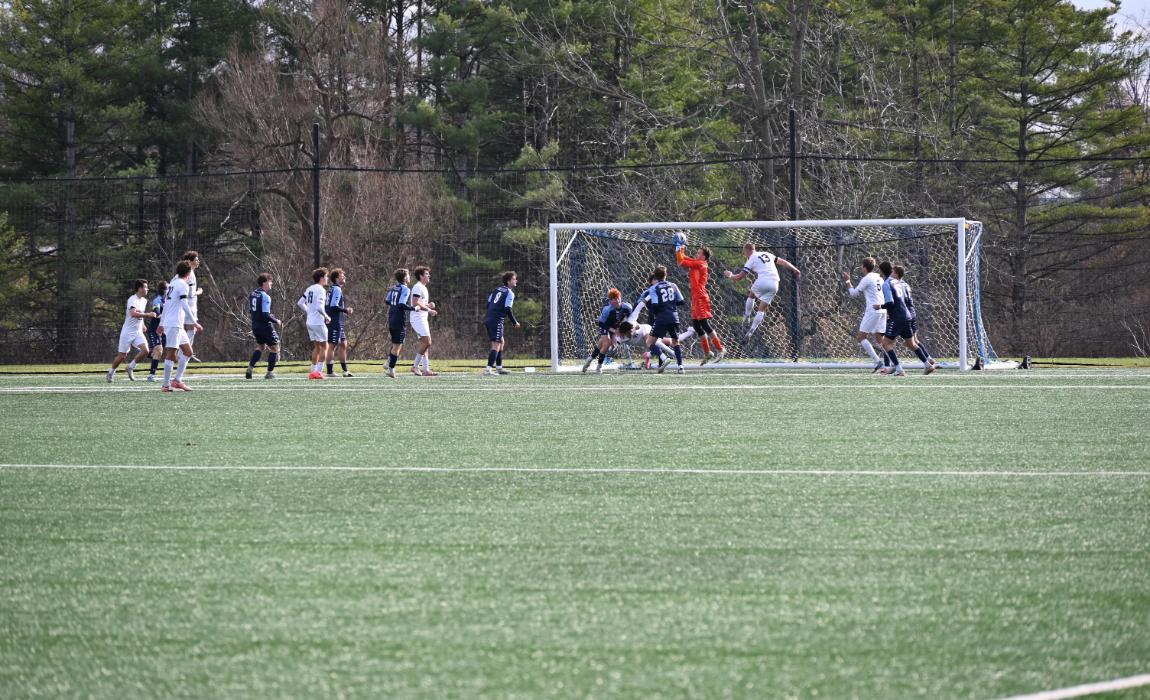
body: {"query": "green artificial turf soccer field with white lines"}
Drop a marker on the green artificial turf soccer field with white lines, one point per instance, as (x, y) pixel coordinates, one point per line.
(762, 535)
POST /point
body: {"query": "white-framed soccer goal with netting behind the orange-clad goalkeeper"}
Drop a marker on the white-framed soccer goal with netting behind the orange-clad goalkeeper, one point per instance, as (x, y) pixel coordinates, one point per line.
(814, 321)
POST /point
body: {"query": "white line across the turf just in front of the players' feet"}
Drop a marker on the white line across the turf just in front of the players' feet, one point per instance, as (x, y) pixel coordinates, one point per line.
(495, 387)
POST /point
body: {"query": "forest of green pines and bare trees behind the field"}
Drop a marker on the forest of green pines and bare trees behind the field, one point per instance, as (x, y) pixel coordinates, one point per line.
(454, 132)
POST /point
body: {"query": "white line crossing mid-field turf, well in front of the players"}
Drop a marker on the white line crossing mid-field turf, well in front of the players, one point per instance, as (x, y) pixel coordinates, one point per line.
(599, 471)
